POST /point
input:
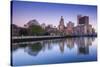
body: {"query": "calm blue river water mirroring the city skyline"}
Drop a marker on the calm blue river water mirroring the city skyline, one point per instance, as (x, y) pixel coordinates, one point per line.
(54, 51)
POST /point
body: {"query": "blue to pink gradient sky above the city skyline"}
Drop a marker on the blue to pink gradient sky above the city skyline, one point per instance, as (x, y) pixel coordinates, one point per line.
(50, 13)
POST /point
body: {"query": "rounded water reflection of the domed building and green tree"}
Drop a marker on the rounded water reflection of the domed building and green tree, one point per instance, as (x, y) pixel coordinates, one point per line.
(34, 49)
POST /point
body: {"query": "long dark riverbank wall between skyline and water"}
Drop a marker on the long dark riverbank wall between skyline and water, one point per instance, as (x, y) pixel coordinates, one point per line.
(17, 39)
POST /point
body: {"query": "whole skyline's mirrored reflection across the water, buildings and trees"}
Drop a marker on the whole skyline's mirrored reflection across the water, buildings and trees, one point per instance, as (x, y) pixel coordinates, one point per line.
(34, 48)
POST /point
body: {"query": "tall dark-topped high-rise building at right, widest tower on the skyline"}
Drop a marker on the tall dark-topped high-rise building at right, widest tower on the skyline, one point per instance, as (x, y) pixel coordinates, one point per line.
(83, 25)
